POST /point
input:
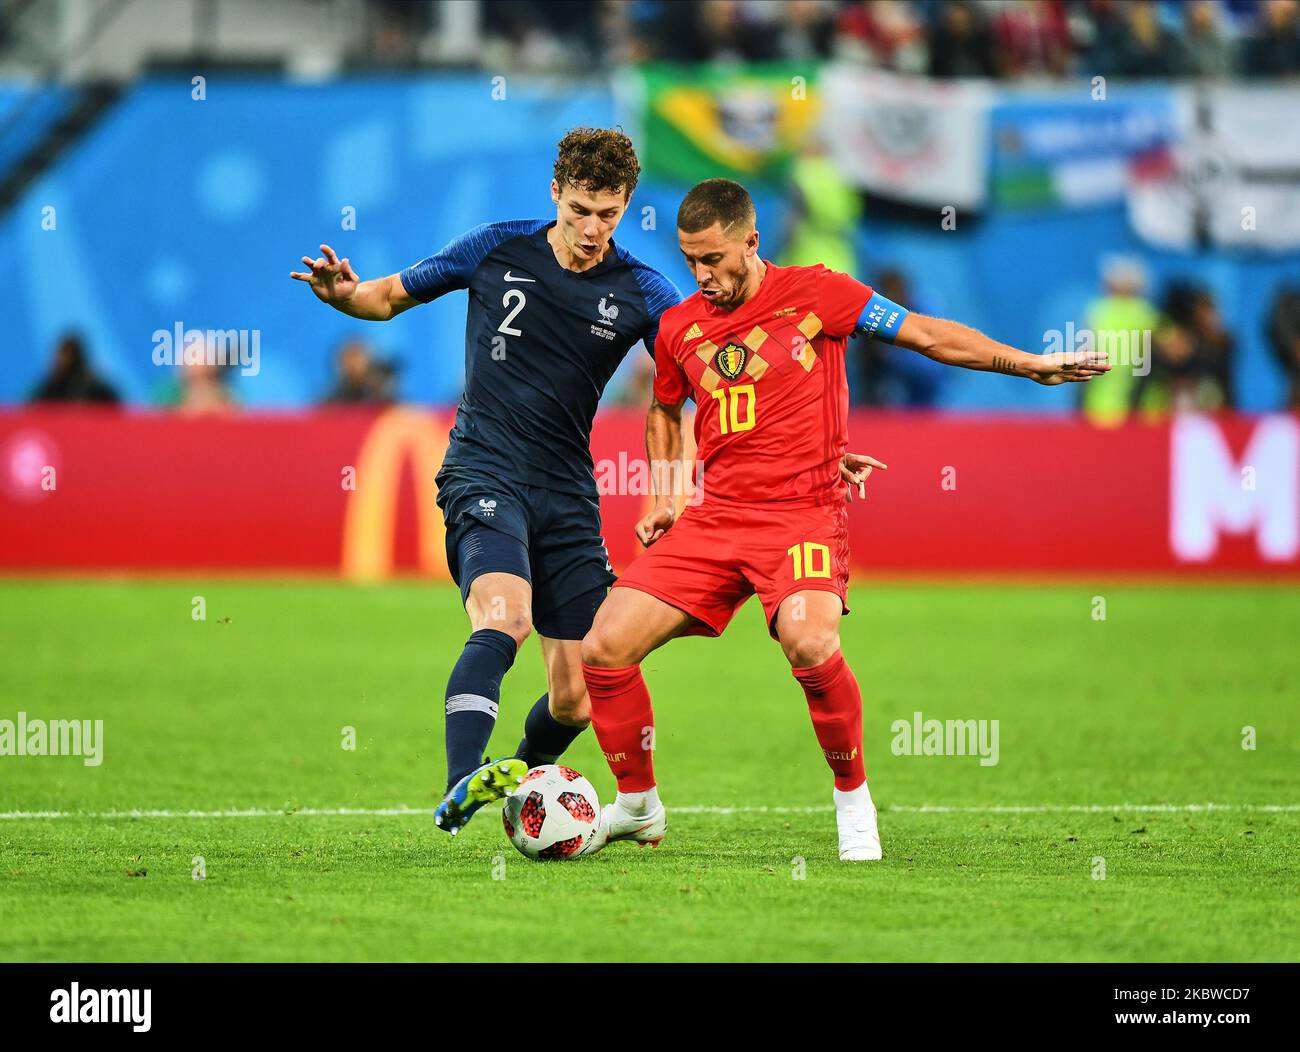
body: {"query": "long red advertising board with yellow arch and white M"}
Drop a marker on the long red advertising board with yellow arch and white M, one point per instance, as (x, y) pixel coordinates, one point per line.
(352, 493)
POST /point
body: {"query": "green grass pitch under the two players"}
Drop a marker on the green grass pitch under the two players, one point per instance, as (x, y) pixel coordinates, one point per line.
(248, 709)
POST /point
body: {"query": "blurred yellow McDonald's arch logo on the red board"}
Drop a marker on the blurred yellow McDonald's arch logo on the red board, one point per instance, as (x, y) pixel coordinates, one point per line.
(370, 522)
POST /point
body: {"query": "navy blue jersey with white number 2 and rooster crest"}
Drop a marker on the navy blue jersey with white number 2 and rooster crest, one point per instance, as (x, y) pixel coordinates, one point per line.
(541, 344)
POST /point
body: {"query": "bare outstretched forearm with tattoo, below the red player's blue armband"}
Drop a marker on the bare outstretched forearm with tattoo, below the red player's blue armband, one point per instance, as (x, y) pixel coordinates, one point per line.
(955, 344)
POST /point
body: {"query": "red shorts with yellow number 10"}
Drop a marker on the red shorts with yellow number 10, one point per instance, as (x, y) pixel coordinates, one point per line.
(717, 556)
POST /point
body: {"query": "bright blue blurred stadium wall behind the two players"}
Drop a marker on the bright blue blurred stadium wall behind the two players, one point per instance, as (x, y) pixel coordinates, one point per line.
(180, 210)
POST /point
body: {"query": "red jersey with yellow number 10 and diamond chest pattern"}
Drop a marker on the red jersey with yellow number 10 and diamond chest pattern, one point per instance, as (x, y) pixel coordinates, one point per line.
(769, 382)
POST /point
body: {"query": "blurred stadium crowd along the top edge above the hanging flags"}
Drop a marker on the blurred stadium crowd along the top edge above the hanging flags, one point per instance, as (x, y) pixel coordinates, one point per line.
(1003, 40)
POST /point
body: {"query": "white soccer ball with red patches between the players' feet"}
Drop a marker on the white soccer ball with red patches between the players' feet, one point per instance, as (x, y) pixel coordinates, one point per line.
(553, 815)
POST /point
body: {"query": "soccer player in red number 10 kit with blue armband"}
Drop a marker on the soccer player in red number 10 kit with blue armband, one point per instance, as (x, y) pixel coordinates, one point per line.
(761, 350)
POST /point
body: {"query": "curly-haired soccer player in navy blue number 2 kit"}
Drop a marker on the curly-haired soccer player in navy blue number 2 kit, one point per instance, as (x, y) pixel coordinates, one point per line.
(554, 306)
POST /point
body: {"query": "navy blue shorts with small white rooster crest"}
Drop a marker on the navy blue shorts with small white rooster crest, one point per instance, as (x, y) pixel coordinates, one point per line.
(552, 540)
